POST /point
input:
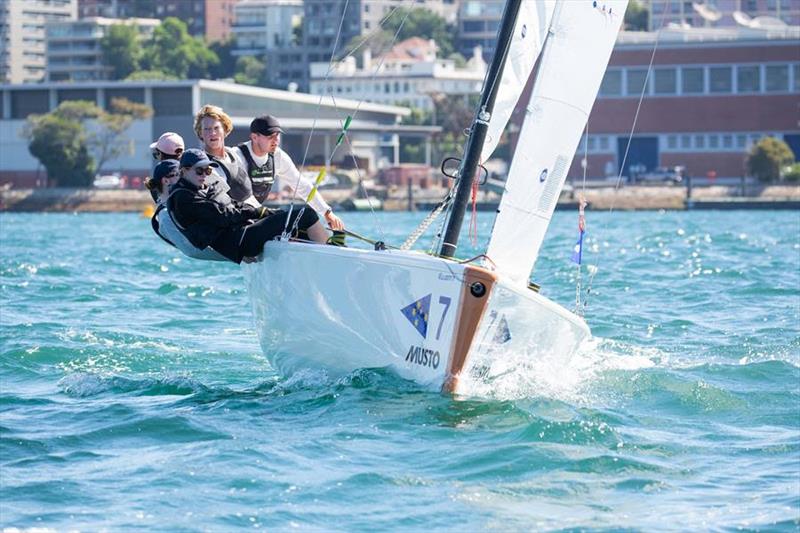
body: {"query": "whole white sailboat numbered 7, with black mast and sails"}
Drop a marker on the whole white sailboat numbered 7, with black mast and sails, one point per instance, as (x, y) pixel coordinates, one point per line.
(433, 319)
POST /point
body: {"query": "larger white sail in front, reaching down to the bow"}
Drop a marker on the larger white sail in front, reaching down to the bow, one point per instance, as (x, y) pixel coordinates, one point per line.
(575, 56)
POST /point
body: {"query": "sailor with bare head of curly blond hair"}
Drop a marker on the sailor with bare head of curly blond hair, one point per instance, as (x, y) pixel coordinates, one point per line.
(212, 125)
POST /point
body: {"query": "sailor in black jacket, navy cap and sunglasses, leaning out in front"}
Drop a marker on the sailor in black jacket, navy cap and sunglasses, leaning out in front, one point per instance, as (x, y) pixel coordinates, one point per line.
(208, 217)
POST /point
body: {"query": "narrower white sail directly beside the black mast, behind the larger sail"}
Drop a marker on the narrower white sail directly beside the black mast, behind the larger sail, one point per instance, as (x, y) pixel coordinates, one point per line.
(526, 44)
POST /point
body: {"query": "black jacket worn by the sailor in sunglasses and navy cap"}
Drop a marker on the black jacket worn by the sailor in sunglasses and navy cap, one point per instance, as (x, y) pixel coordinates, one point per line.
(210, 217)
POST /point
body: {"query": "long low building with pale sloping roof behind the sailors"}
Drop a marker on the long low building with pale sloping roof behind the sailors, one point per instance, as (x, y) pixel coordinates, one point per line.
(312, 123)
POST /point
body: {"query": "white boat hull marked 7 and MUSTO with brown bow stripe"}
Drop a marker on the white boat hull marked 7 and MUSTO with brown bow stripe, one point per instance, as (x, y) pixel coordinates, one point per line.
(341, 309)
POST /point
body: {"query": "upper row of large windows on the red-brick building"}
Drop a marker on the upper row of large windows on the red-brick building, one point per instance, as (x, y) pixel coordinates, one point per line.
(698, 80)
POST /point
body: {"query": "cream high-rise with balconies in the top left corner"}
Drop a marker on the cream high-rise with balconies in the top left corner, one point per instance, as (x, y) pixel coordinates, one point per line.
(22, 36)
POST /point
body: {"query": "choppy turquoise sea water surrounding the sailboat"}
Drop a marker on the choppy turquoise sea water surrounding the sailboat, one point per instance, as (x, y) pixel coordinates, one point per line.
(133, 393)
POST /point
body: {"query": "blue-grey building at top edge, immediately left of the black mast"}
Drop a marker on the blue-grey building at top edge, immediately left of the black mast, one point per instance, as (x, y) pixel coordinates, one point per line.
(478, 22)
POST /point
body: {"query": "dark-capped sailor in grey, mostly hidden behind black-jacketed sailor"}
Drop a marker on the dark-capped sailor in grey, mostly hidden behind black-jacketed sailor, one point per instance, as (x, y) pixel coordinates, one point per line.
(165, 175)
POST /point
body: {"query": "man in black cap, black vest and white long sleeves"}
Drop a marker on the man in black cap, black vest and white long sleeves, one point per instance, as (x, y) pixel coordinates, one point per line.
(265, 162)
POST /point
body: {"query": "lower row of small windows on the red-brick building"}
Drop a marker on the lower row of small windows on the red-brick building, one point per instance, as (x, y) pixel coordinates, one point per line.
(681, 142)
